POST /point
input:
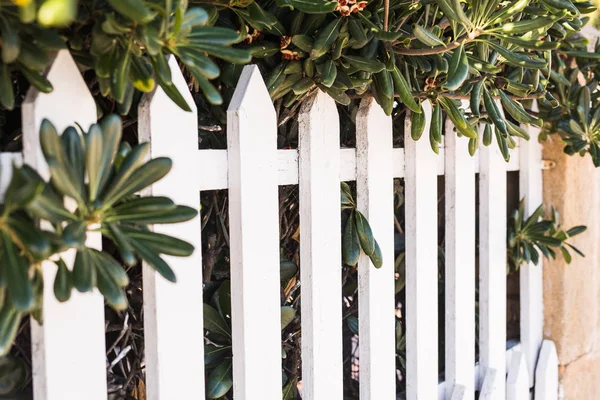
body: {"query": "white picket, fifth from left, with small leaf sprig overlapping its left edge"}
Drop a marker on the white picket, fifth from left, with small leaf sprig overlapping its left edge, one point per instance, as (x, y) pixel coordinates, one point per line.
(375, 194)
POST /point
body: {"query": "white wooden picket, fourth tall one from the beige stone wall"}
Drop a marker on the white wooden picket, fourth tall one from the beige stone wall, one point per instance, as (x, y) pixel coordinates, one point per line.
(421, 265)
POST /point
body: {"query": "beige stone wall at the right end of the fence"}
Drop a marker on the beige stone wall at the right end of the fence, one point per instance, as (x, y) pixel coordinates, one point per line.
(572, 291)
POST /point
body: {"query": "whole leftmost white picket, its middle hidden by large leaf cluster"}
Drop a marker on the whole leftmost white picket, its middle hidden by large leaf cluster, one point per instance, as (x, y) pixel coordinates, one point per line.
(68, 350)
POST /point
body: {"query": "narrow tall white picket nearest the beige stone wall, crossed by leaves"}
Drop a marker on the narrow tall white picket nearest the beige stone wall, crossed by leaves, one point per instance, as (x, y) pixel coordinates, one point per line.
(531, 277)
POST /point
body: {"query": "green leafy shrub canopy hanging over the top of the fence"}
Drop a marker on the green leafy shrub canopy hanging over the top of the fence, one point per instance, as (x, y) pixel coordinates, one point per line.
(397, 50)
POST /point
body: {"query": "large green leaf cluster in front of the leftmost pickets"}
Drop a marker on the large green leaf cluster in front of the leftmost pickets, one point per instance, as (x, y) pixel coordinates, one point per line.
(101, 175)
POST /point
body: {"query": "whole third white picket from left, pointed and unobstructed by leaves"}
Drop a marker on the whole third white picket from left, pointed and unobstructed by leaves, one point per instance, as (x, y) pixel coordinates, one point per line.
(254, 239)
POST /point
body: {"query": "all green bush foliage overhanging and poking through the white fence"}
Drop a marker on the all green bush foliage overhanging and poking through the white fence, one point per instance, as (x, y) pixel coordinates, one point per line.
(500, 57)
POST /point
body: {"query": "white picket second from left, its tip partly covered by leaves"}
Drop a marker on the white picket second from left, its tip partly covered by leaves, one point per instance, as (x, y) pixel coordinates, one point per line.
(173, 311)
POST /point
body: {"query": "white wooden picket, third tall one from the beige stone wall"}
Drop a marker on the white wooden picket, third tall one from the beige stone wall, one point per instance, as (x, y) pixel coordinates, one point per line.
(460, 265)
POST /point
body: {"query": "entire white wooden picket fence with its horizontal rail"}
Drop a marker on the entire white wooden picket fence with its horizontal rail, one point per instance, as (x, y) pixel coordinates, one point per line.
(69, 360)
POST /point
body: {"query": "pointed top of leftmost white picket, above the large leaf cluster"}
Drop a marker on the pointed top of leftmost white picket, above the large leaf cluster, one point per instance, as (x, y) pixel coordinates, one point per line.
(69, 102)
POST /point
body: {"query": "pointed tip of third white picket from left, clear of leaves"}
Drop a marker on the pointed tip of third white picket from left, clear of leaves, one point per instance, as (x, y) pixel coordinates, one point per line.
(251, 94)
